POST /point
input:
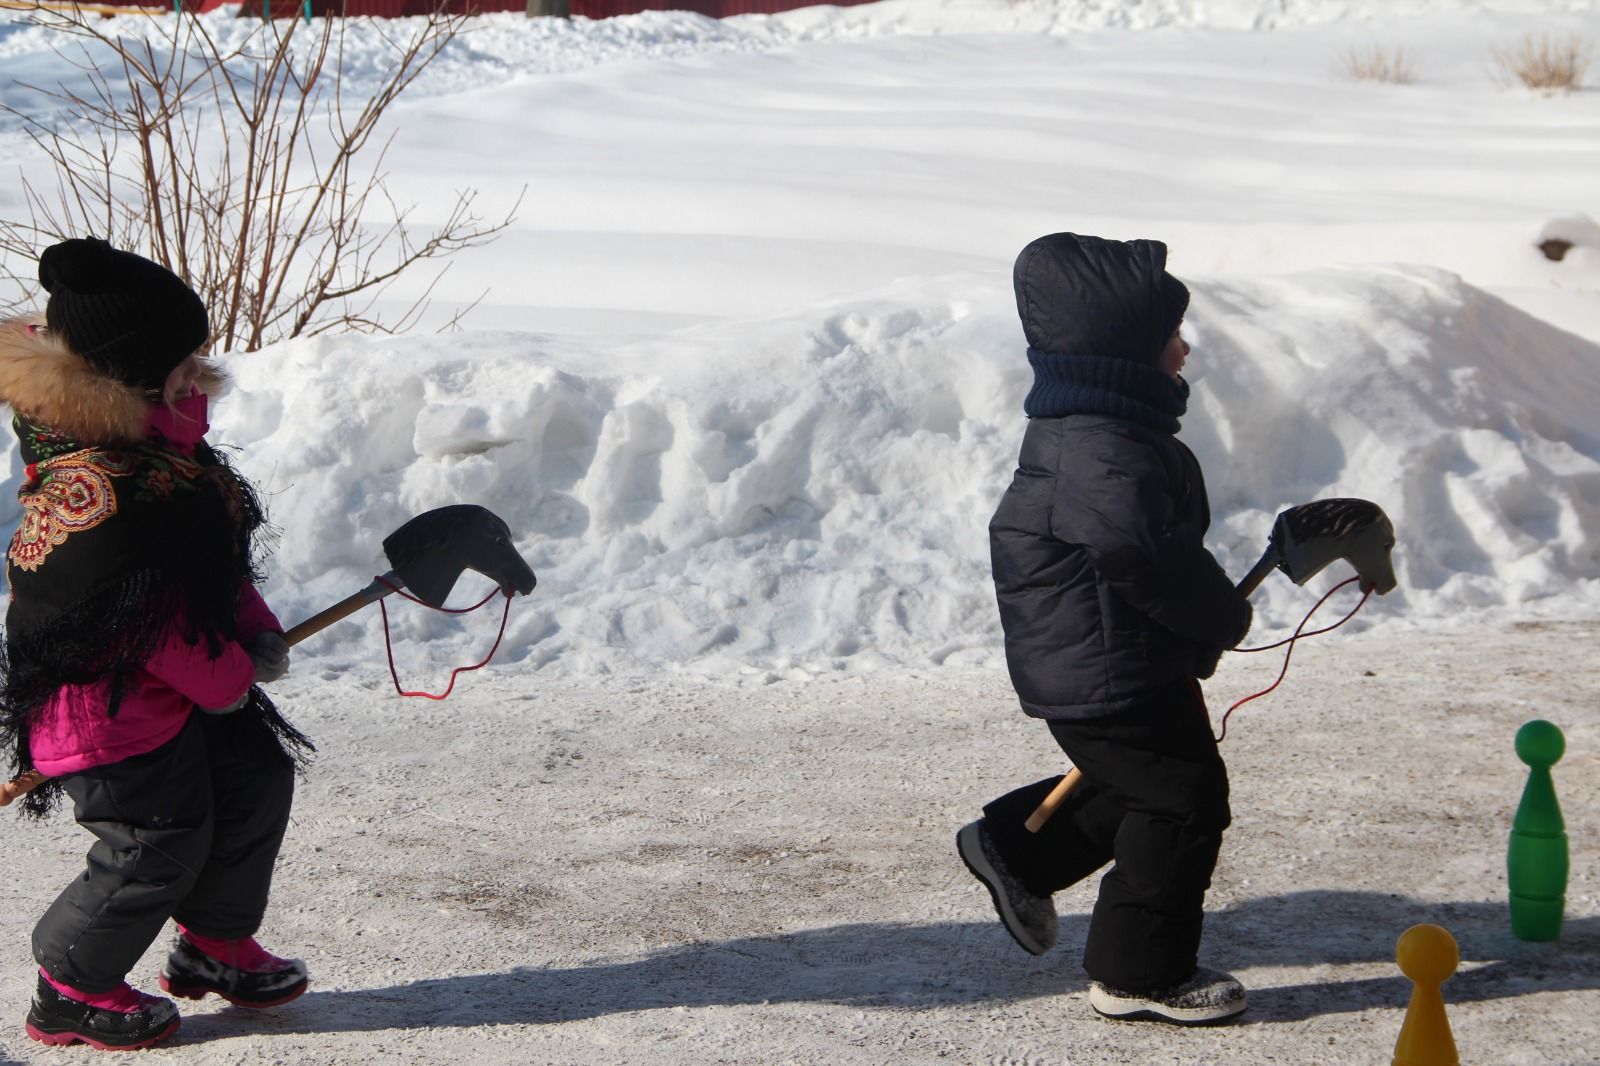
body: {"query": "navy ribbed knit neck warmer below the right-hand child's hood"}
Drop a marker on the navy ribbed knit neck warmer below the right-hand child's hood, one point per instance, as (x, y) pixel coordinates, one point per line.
(1094, 385)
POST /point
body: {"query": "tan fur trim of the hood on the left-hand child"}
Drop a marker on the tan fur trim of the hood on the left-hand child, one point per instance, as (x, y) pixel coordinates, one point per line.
(46, 382)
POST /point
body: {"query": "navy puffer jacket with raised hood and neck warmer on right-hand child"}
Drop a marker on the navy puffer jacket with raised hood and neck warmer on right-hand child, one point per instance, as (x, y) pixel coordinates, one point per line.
(1106, 590)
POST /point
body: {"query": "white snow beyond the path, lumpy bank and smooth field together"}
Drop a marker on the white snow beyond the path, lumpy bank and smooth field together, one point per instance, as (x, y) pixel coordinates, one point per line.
(748, 377)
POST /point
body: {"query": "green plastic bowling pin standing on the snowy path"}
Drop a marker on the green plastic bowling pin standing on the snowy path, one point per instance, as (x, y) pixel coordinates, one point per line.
(1537, 860)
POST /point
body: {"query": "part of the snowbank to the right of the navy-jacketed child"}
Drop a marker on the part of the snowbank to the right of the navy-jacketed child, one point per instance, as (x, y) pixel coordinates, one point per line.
(1466, 419)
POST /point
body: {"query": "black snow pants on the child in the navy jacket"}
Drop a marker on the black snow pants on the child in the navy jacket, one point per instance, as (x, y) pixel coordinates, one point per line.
(1154, 801)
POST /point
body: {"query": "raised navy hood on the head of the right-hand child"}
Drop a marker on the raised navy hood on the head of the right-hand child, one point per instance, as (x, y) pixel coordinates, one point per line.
(1094, 297)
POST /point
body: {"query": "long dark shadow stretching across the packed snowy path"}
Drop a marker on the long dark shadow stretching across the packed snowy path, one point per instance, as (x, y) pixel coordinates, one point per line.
(953, 964)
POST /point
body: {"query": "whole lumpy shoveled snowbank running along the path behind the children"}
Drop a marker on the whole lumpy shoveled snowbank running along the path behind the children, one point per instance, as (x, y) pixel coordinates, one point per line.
(810, 494)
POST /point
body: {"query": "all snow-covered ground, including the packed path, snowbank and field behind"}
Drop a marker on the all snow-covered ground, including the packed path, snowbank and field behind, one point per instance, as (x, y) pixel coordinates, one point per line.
(748, 383)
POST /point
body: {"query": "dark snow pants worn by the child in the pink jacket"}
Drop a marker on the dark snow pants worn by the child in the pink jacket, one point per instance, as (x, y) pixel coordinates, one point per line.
(190, 832)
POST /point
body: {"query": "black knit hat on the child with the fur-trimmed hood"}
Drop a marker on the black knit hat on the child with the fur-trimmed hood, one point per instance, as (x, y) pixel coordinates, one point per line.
(132, 319)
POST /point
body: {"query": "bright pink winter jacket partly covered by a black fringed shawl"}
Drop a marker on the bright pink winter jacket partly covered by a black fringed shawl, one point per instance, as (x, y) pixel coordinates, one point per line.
(73, 732)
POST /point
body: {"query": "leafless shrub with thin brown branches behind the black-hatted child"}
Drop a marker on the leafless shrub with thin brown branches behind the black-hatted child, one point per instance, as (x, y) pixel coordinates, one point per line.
(242, 167)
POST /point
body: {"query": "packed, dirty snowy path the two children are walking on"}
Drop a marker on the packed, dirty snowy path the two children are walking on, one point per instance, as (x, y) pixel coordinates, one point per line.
(687, 873)
